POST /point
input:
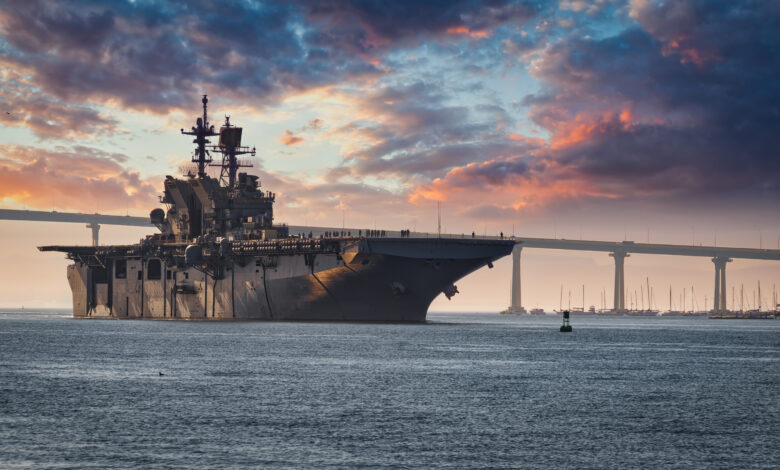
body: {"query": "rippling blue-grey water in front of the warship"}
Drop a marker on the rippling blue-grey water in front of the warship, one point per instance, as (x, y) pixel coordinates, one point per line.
(469, 391)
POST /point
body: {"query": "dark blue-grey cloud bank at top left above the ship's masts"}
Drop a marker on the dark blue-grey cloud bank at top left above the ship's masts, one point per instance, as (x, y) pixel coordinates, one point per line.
(158, 55)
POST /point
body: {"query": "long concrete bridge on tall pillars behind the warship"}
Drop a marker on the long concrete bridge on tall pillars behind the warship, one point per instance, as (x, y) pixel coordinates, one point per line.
(720, 255)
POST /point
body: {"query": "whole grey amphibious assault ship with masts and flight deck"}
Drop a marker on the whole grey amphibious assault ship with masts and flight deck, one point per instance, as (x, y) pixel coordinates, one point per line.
(220, 256)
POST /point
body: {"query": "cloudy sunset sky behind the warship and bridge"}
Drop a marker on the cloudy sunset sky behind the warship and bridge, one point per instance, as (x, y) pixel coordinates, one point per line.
(638, 120)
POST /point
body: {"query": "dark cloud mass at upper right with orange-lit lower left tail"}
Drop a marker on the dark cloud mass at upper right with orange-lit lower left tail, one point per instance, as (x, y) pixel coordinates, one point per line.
(682, 102)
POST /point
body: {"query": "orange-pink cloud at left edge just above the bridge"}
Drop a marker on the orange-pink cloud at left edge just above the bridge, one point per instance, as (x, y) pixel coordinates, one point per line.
(75, 178)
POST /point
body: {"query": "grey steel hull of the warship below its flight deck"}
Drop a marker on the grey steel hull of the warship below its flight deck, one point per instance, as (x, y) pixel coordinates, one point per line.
(381, 280)
